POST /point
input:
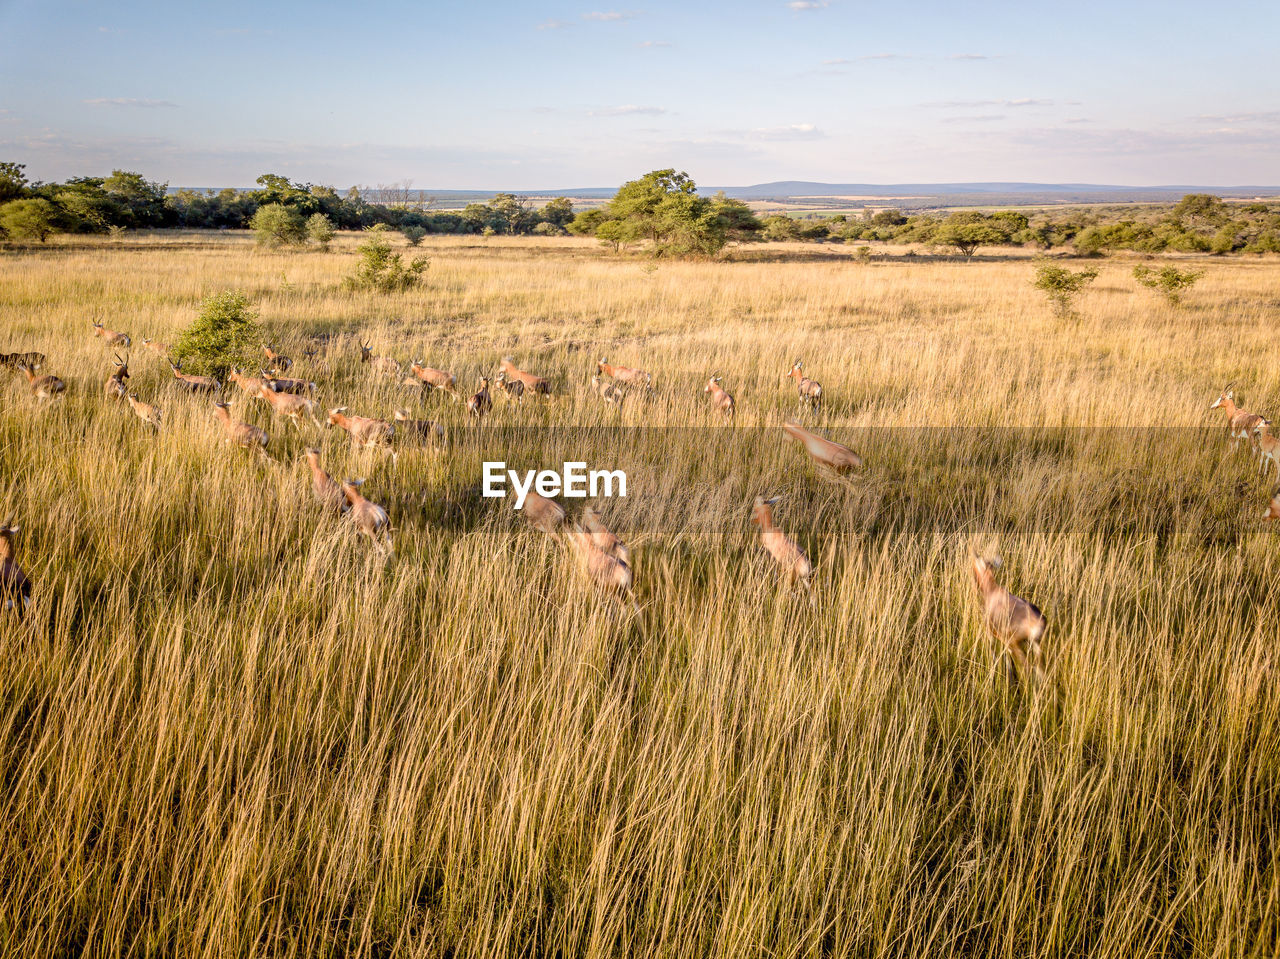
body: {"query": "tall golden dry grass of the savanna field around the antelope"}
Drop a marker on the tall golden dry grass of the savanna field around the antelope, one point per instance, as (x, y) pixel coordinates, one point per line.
(228, 727)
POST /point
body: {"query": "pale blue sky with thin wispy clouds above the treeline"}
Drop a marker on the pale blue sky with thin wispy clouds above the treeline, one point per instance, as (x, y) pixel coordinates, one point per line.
(560, 94)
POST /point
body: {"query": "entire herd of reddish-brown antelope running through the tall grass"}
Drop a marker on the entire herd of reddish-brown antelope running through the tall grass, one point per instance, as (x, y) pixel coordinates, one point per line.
(1017, 625)
